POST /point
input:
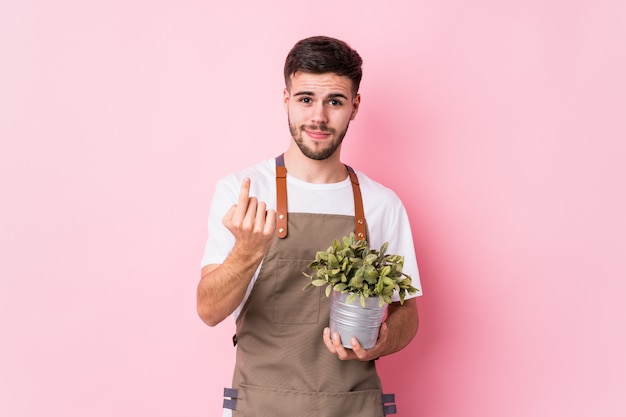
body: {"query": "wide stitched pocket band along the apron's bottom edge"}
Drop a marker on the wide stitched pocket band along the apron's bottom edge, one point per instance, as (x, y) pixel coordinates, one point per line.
(255, 401)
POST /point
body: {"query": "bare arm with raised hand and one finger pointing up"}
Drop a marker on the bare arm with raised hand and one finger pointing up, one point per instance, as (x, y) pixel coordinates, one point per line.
(222, 287)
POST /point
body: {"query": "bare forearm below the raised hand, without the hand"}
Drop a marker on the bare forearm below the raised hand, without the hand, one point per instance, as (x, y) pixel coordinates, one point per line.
(222, 287)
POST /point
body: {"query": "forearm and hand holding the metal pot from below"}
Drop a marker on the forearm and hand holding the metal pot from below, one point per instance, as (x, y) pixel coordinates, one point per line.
(395, 333)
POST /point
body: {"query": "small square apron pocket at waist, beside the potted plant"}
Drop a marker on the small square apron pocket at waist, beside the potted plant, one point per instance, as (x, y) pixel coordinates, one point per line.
(291, 304)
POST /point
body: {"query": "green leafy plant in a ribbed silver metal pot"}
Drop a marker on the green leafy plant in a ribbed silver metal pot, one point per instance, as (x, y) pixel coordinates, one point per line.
(352, 271)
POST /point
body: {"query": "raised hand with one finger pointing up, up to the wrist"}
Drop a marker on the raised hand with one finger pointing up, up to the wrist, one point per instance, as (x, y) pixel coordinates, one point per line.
(250, 222)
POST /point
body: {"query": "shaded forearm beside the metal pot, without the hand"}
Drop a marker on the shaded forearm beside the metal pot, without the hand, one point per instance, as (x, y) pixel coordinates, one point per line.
(402, 323)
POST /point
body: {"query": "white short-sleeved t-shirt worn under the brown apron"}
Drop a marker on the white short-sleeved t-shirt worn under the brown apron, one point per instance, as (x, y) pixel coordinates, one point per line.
(386, 217)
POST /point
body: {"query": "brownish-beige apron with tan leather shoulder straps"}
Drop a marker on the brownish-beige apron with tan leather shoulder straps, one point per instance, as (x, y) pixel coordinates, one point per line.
(283, 368)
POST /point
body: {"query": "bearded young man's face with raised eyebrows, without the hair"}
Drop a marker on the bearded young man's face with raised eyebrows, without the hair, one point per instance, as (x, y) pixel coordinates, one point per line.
(319, 109)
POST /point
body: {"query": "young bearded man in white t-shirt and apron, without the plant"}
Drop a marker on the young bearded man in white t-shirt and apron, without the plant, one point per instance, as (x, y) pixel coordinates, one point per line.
(266, 224)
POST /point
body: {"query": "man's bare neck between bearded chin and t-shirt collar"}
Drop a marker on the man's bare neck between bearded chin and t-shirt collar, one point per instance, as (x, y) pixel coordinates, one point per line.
(327, 171)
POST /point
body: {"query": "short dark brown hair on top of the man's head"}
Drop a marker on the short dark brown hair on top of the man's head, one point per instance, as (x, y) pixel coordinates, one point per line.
(321, 54)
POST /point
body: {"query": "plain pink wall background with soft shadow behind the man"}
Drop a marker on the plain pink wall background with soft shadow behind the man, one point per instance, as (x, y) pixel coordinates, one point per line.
(500, 123)
